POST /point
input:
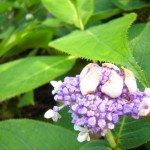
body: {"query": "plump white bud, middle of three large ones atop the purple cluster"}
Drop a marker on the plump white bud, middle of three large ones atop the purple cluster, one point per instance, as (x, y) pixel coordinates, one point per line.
(113, 87)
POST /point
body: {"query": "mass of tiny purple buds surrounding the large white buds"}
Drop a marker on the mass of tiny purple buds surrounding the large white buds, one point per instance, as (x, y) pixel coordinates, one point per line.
(97, 110)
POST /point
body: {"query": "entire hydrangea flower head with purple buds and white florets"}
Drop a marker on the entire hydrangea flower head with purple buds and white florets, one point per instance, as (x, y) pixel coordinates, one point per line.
(98, 97)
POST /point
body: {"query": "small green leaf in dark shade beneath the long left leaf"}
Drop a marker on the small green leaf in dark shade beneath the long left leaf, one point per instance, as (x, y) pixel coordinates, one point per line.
(26, 99)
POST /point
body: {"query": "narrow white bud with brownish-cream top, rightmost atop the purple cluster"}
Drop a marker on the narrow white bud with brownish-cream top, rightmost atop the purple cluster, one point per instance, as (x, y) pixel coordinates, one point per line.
(130, 80)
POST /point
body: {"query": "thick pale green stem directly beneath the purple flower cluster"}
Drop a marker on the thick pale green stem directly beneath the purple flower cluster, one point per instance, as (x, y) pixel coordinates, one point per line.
(110, 139)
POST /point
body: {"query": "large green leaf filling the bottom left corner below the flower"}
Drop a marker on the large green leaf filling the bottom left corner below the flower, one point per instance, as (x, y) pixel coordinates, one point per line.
(27, 134)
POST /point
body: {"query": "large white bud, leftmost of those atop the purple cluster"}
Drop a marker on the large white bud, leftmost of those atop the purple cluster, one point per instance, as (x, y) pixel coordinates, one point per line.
(89, 78)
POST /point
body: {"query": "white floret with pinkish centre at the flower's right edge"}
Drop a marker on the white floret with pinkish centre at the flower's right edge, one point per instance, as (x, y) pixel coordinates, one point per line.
(144, 108)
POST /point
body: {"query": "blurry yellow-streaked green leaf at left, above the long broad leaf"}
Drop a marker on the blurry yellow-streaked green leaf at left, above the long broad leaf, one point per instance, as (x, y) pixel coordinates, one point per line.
(26, 38)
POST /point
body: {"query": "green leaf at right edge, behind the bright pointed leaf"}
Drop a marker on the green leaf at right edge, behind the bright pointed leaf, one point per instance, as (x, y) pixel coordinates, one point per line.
(139, 43)
